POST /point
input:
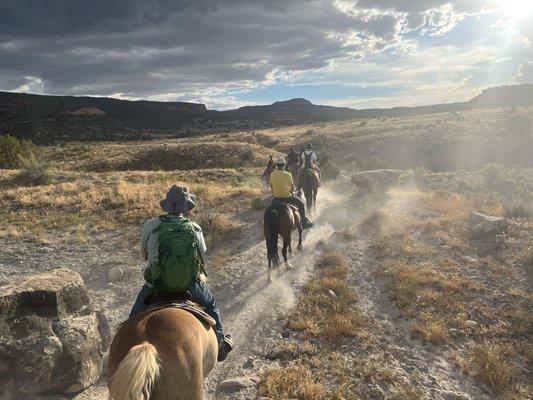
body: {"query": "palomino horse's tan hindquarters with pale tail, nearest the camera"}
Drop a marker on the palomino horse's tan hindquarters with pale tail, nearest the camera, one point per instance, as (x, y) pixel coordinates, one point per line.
(163, 354)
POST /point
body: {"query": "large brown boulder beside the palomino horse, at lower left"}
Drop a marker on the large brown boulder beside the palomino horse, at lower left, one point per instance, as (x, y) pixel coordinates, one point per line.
(50, 340)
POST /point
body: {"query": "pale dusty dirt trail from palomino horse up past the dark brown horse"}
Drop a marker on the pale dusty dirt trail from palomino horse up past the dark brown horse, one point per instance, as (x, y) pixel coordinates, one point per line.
(251, 307)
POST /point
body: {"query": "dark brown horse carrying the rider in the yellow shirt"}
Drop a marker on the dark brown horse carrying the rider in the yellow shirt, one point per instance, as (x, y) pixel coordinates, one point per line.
(280, 219)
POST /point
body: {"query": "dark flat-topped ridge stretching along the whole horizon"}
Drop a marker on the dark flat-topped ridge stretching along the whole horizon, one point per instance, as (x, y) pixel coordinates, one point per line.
(47, 119)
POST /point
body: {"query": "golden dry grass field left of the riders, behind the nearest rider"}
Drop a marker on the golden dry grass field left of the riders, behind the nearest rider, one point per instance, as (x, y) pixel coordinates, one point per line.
(78, 202)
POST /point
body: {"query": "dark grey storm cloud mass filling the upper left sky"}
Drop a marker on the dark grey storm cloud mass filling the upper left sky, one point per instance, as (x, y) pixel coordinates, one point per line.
(161, 48)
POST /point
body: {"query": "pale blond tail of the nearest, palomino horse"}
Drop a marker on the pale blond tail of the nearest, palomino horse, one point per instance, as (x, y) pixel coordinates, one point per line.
(136, 374)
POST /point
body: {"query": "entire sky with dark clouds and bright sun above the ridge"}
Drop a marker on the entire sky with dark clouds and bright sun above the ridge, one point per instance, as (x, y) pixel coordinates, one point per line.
(231, 53)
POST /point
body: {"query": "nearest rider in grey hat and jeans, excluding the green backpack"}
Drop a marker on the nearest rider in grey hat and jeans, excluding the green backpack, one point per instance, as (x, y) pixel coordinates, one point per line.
(178, 203)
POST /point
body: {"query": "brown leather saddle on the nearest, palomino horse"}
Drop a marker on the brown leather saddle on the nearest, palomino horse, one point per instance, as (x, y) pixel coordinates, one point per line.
(182, 300)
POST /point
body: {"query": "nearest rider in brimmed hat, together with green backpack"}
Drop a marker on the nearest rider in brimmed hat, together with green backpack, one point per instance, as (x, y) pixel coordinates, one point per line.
(173, 245)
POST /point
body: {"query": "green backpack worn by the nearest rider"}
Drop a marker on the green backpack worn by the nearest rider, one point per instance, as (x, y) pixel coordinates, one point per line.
(180, 260)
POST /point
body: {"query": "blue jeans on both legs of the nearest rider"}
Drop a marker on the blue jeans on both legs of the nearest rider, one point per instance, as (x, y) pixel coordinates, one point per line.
(200, 294)
